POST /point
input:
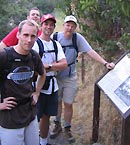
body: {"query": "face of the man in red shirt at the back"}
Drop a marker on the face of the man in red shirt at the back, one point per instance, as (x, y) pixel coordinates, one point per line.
(34, 15)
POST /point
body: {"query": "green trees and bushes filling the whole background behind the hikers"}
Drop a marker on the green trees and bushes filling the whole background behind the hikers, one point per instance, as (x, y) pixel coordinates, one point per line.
(105, 23)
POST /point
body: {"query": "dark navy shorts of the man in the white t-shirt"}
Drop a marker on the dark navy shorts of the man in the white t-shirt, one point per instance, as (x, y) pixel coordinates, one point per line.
(47, 104)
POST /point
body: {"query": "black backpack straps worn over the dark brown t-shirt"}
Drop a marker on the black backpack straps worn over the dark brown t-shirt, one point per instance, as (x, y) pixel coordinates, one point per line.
(7, 67)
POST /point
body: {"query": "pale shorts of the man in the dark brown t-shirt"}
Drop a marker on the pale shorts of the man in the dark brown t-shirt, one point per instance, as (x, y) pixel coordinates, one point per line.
(28, 135)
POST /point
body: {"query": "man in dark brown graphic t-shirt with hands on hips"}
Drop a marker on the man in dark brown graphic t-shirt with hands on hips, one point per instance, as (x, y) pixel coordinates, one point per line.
(18, 121)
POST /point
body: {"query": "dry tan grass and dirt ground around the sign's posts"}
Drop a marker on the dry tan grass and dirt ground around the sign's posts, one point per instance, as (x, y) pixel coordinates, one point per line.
(110, 119)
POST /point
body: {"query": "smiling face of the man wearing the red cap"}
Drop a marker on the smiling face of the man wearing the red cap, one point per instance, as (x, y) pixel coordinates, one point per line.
(48, 27)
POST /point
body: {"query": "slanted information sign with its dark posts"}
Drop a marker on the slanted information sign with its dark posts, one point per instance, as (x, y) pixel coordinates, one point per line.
(116, 86)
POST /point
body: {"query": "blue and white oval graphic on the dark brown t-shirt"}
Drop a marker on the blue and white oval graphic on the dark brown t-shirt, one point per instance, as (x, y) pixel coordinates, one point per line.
(21, 75)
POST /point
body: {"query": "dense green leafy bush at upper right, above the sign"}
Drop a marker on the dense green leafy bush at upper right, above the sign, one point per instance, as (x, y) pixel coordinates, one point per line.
(105, 23)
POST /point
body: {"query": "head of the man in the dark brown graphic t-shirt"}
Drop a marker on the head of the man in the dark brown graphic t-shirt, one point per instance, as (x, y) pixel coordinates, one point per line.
(27, 37)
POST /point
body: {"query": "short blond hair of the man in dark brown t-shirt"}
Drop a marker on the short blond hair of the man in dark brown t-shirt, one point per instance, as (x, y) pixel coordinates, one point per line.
(29, 22)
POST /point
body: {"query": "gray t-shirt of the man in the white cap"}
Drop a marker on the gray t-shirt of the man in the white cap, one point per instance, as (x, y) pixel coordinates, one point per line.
(71, 53)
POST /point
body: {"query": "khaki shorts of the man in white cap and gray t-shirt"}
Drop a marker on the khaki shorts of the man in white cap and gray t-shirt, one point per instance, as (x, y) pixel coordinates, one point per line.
(68, 89)
